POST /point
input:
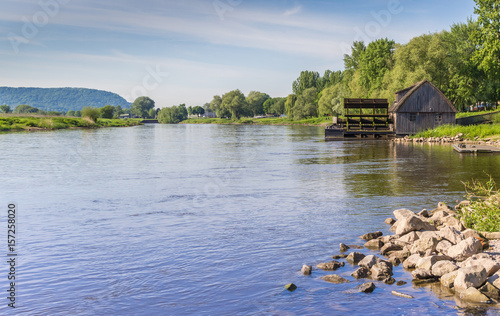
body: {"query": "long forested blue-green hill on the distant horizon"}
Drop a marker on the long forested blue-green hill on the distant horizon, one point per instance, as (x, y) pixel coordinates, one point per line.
(60, 99)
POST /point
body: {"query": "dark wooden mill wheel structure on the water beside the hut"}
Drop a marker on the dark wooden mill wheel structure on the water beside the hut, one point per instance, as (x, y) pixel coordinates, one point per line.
(363, 118)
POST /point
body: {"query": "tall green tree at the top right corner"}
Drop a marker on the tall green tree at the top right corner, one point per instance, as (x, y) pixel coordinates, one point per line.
(487, 37)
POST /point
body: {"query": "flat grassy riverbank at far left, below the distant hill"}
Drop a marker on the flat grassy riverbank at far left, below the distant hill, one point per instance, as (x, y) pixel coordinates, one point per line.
(33, 123)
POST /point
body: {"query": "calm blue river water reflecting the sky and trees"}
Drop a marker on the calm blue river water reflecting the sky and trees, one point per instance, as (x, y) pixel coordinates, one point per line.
(213, 220)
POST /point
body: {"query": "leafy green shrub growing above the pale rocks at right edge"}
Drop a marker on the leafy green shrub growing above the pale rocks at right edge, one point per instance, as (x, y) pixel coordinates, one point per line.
(483, 214)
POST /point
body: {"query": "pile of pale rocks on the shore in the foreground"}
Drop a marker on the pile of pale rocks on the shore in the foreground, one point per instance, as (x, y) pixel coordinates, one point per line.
(434, 247)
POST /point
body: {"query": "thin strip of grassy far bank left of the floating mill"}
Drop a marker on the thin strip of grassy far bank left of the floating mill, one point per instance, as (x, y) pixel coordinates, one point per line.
(315, 121)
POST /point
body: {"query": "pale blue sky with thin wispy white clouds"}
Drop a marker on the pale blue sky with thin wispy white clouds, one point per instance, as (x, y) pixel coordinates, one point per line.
(187, 51)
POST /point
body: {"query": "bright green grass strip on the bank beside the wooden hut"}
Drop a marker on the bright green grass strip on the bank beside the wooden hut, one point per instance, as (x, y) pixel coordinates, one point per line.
(469, 132)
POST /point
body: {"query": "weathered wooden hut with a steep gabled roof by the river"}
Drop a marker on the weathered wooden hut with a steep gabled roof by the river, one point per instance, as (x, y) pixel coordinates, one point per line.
(420, 107)
